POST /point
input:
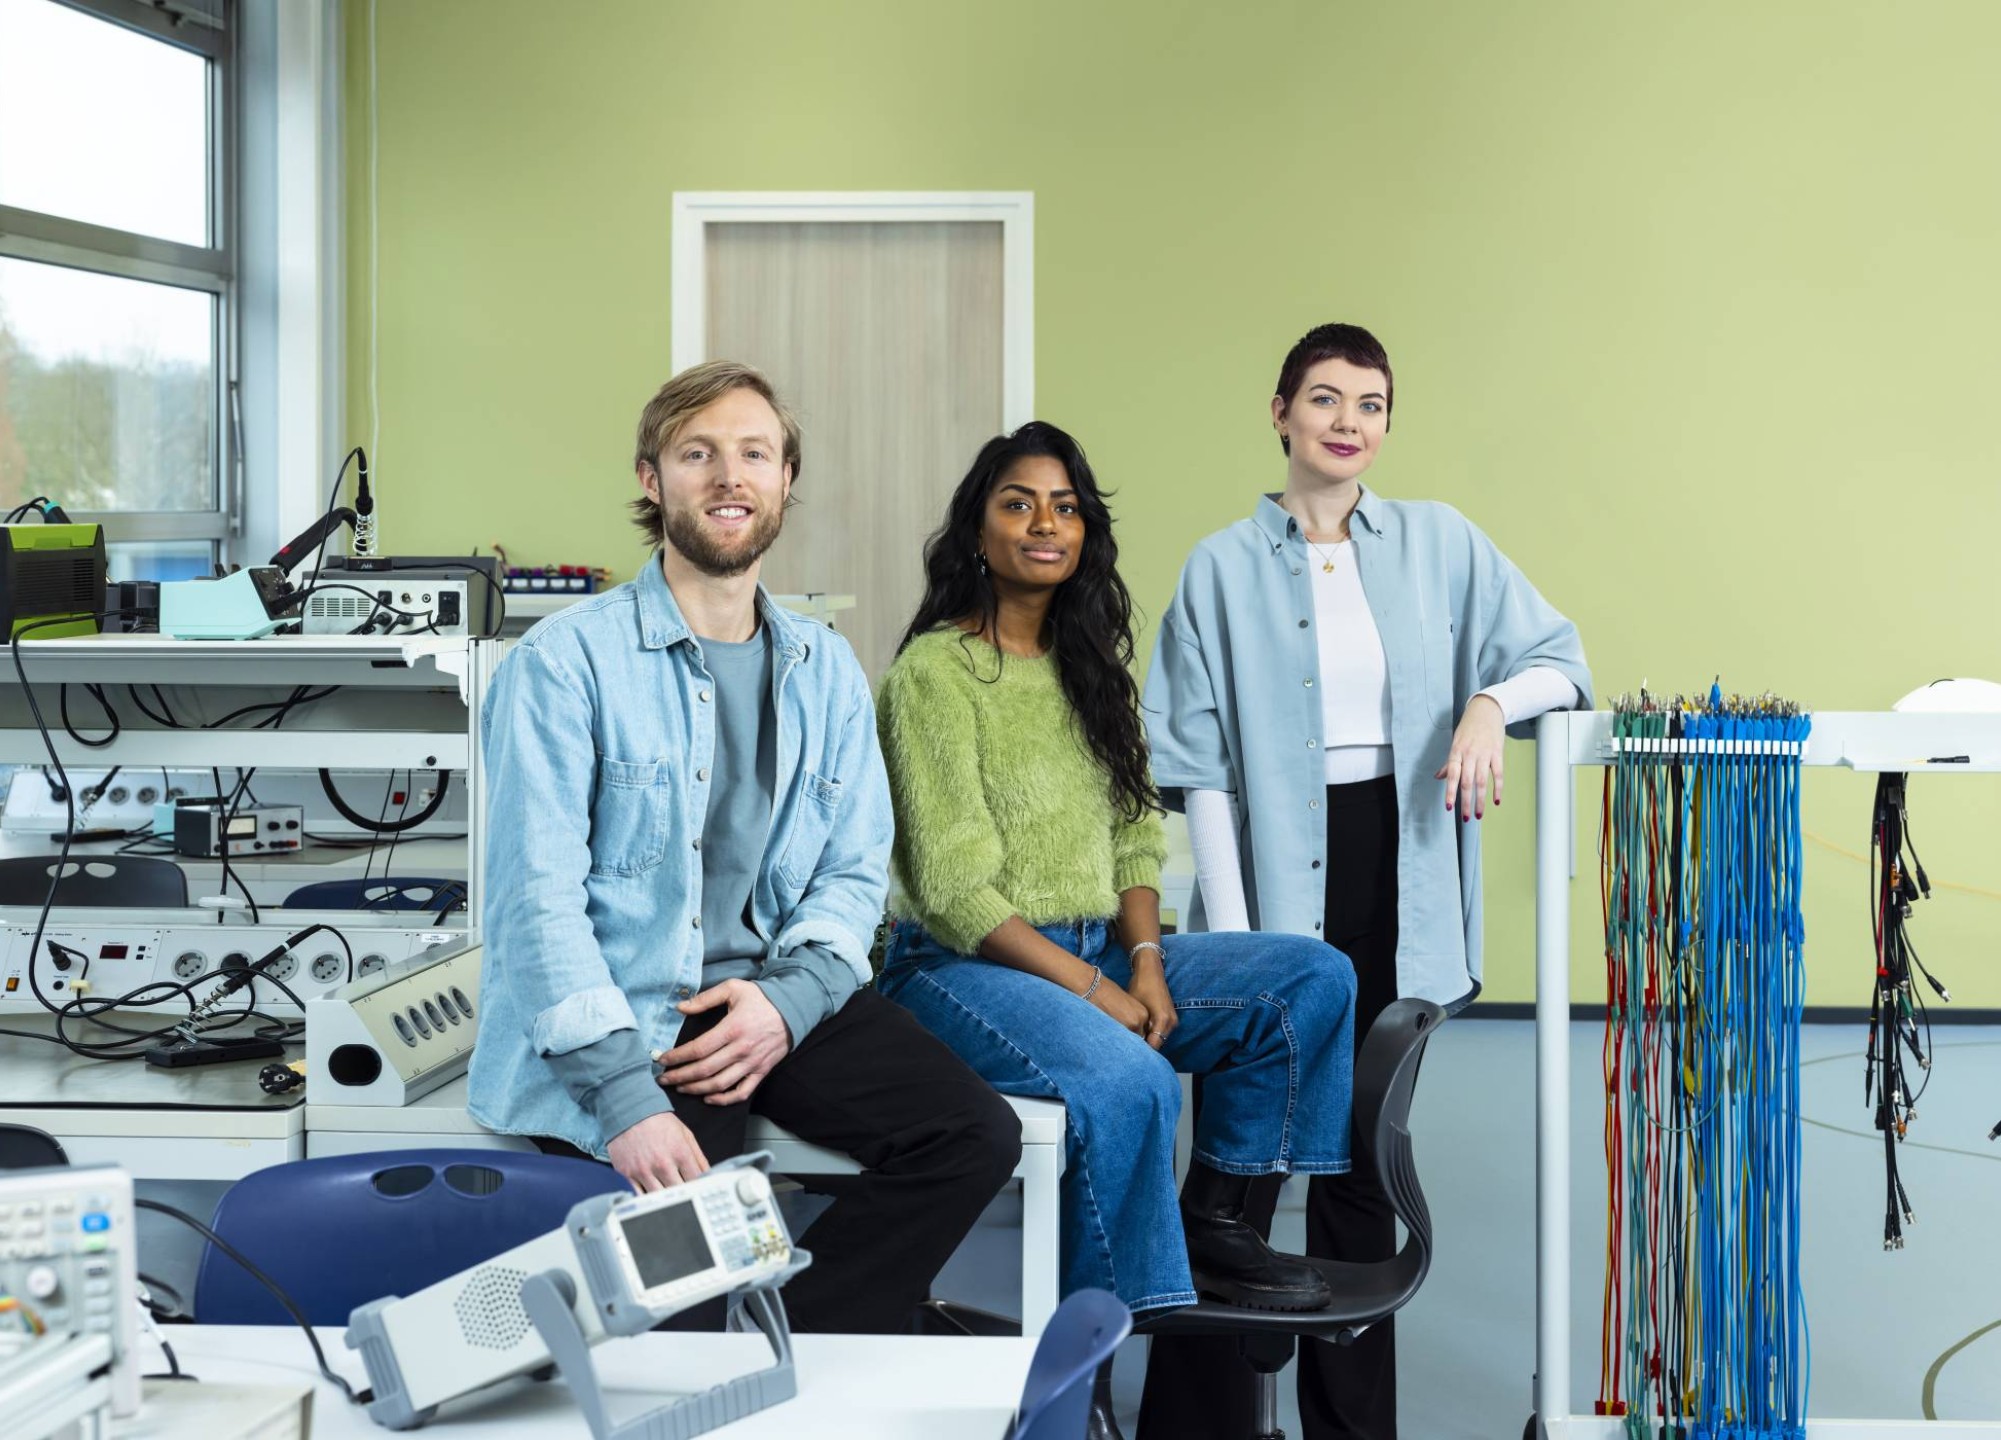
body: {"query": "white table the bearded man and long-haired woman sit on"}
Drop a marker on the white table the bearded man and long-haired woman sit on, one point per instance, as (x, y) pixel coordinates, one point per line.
(441, 1121)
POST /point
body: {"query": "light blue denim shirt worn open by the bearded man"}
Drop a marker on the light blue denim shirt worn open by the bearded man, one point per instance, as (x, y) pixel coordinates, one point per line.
(599, 737)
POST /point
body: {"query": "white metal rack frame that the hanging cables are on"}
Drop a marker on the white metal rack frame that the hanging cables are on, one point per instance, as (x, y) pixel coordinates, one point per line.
(1860, 741)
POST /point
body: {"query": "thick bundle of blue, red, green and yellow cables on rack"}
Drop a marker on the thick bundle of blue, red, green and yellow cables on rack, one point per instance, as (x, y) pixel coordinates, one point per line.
(1706, 1329)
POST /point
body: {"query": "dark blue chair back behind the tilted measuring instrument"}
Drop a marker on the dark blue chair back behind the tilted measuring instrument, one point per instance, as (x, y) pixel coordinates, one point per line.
(343, 1231)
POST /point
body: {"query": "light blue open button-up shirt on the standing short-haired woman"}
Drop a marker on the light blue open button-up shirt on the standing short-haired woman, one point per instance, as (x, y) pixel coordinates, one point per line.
(1234, 703)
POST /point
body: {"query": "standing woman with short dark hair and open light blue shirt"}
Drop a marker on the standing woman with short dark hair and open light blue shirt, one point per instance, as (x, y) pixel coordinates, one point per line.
(1322, 665)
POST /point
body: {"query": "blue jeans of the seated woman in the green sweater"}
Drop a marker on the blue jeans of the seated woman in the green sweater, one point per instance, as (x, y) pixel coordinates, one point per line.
(1270, 1021)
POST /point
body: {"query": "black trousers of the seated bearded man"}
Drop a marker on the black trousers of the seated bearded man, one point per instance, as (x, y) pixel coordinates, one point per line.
(933, 1139)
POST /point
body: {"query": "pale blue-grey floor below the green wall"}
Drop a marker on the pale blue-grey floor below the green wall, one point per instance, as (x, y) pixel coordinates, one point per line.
(1468, 1343)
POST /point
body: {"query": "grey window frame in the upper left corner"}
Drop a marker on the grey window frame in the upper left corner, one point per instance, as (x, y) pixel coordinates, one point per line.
(79, 245)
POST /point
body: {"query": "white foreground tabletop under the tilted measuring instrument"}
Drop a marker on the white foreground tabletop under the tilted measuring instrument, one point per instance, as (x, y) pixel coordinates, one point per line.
(849, 1387)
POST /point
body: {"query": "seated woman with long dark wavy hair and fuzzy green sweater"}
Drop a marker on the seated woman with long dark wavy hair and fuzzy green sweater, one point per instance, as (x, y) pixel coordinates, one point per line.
(1028, 931)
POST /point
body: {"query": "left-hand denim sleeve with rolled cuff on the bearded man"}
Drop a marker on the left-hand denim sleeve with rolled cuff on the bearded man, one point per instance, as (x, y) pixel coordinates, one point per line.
(541, 767)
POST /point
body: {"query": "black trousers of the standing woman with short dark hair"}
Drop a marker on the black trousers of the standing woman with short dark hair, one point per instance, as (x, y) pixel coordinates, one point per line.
(1200, 1387)
